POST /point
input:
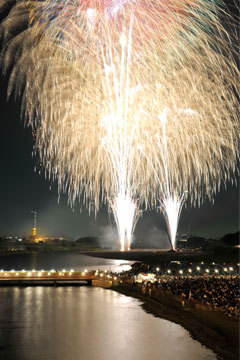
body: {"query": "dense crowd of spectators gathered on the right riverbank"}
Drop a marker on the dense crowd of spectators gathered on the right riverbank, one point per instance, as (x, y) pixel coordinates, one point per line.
(217, 291)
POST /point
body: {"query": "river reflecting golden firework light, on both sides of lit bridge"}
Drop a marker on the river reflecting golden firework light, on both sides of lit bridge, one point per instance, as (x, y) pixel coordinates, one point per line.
(81, 322)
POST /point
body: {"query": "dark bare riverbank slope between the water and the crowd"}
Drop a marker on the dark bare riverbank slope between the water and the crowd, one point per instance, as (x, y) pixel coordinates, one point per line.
(212, 328)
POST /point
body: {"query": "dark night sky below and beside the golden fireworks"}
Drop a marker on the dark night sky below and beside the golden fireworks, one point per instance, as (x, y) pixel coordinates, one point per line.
(22, 190)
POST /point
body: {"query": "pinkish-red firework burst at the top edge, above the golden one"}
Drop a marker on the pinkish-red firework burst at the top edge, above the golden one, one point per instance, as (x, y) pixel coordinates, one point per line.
(100, 18)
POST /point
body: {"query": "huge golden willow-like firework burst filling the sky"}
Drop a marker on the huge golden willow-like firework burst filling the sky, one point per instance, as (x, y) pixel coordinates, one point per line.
(97, 116)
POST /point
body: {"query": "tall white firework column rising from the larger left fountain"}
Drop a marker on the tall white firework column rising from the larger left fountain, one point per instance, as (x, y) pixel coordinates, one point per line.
(119, 142)
